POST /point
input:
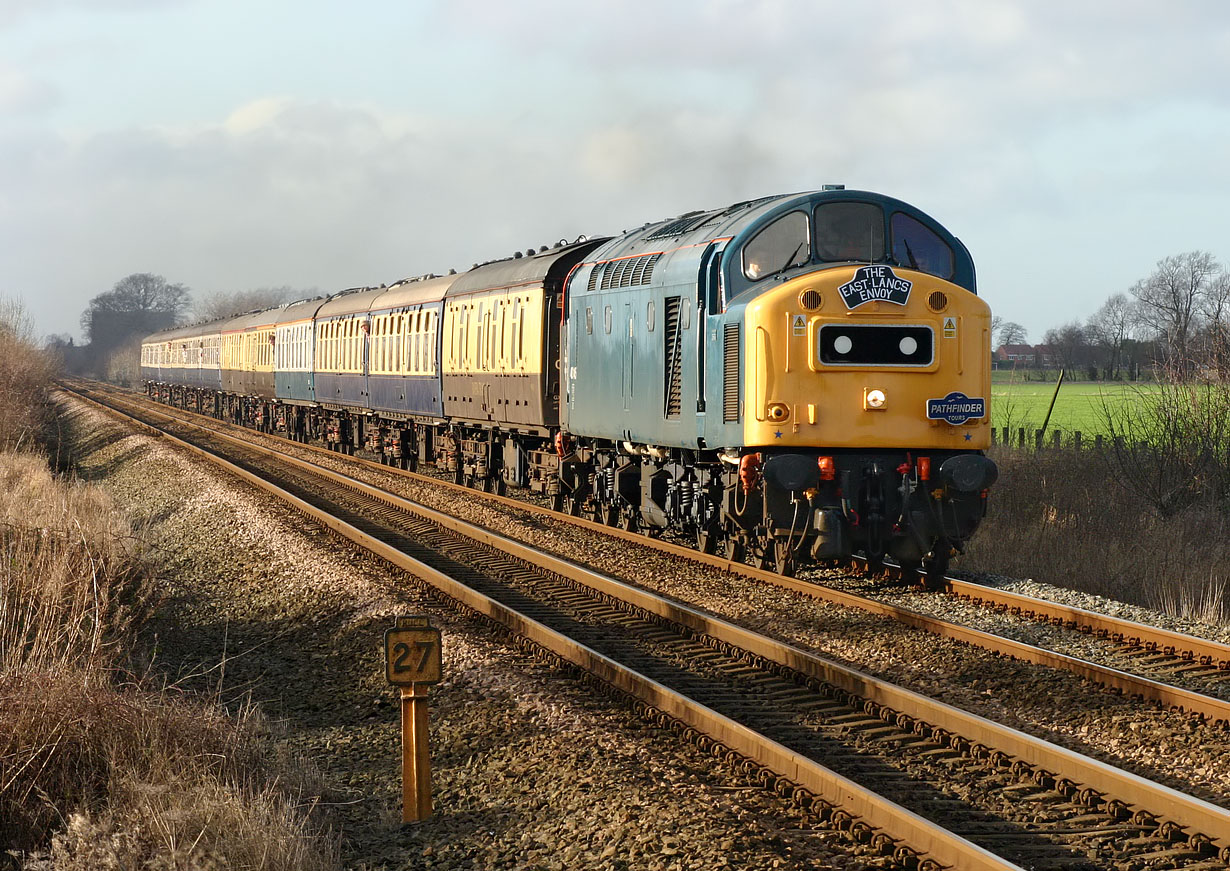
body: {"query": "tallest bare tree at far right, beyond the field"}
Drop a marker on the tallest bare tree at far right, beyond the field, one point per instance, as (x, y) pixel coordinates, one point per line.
(1172, 301)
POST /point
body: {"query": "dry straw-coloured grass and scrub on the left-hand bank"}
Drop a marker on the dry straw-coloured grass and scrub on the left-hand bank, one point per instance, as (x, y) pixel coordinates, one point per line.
(101, 768)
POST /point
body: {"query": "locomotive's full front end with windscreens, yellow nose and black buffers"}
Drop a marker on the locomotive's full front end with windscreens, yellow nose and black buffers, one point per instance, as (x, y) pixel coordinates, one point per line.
(867, 383)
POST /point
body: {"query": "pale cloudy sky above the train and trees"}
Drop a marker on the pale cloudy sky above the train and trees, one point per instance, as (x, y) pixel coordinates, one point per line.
(234, 145)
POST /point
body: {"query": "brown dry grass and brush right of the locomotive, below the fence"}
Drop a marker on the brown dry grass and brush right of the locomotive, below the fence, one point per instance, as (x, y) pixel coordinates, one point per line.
(1068, 520)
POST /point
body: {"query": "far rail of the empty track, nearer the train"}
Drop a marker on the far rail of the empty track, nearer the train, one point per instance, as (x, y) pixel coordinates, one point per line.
(1137, 794)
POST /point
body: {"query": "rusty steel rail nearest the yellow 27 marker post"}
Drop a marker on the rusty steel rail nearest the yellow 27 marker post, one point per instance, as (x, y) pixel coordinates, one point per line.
(906, 827)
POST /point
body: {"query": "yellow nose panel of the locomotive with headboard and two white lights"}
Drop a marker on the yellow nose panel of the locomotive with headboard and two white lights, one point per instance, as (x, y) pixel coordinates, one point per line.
(822, 373)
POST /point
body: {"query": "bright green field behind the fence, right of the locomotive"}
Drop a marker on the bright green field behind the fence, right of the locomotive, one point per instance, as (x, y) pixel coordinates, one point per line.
(1082, 405)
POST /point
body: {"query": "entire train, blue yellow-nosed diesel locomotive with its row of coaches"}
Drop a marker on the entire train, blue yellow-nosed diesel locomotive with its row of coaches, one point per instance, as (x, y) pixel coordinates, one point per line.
(793, 380)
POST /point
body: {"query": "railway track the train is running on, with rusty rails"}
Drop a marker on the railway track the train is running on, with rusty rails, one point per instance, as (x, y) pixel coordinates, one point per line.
(1176, 671)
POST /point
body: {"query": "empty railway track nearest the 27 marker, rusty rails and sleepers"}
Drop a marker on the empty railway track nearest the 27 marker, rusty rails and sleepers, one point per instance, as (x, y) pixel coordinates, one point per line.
(932, 785)
